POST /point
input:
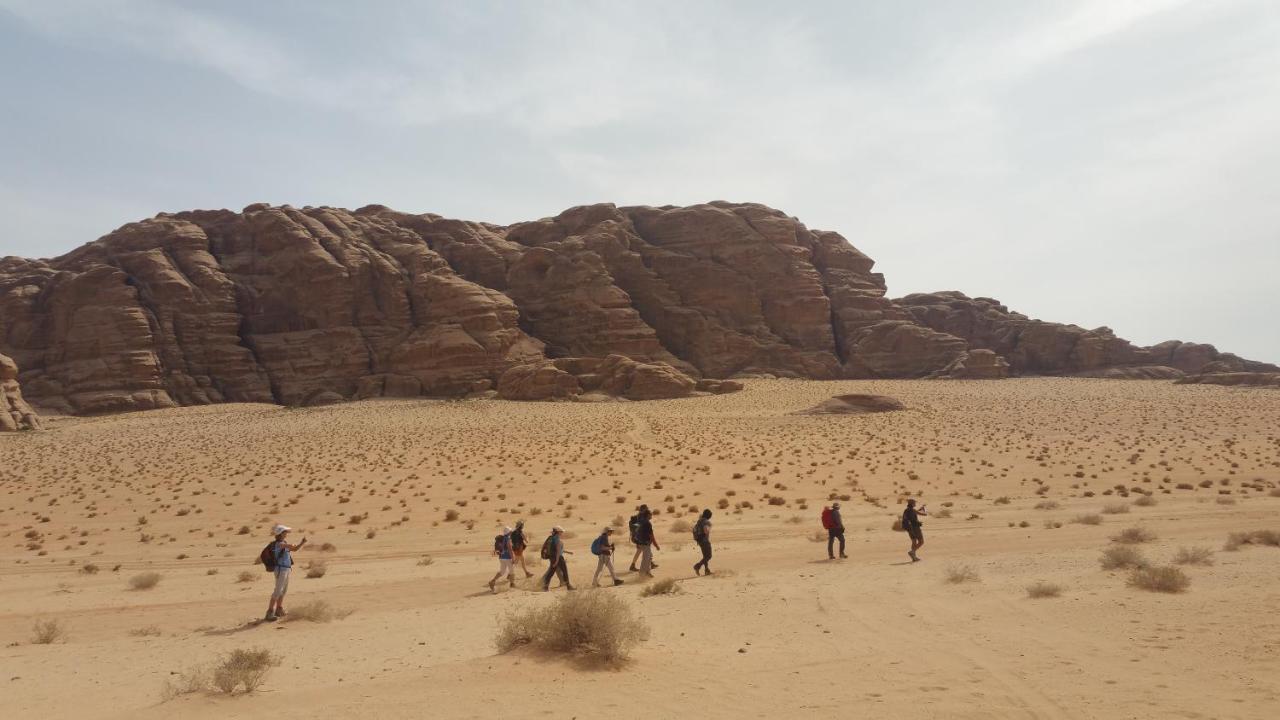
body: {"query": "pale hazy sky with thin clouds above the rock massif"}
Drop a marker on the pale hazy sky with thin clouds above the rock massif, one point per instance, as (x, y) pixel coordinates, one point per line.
(1112, 162)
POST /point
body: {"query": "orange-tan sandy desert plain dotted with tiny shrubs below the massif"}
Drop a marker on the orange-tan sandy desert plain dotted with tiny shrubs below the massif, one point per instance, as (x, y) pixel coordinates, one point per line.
(779, 632)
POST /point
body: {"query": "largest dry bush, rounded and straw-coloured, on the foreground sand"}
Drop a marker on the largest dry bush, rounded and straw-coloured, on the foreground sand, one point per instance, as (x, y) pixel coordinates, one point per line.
(596, 626)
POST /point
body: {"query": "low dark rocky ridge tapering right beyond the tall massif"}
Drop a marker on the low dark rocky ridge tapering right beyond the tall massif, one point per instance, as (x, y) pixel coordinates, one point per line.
(1037, 348)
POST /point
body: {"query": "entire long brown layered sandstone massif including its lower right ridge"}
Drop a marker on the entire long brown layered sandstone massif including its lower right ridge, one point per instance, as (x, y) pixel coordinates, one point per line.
(317, 306)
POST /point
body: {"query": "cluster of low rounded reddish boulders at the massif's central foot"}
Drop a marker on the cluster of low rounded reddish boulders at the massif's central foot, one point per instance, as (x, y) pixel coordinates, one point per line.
(616, 376)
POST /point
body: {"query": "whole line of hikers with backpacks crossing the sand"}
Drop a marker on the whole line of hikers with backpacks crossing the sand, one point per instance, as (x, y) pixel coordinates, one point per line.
(511, 544)
